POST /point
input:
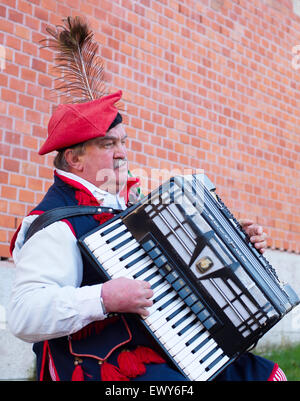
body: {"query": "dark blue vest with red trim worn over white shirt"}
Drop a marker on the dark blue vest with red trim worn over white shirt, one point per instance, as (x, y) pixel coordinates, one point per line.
(97, 343)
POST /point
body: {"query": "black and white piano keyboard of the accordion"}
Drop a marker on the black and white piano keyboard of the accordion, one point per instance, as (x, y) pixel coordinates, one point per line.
(177, 320)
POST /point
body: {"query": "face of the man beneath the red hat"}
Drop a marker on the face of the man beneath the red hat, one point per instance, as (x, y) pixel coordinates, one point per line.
(105, 161)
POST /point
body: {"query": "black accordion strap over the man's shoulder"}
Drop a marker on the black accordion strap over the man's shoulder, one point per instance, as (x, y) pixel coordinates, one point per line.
(60, 213)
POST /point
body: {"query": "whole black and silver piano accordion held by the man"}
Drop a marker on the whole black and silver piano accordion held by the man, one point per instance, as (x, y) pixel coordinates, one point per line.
(215, 295)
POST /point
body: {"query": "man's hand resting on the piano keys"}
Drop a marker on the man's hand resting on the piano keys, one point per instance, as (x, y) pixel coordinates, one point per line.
(126, 295)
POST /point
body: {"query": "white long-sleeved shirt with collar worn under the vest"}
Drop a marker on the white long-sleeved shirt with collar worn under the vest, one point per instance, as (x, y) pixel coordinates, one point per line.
(46, 300)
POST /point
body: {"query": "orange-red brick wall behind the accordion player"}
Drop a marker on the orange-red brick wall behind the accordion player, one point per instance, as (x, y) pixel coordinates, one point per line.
(208, 84)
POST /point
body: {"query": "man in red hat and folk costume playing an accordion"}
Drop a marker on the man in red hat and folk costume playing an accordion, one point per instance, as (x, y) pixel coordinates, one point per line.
(58, 302)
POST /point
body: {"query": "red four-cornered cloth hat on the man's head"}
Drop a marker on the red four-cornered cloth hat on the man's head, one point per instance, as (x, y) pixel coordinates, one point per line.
(75, 123)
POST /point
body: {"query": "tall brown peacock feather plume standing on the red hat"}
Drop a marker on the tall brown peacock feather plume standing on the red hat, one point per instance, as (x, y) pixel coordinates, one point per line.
(81, 72)
